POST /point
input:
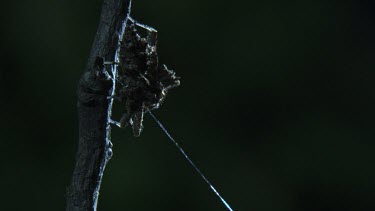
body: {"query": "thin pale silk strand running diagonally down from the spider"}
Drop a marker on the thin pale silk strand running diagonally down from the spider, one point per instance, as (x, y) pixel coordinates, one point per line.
(191, 162)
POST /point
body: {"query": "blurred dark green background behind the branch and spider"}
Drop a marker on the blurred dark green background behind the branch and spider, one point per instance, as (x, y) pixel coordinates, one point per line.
(276, 106)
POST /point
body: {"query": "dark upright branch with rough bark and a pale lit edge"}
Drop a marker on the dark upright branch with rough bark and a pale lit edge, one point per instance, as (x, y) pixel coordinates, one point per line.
(94, 108)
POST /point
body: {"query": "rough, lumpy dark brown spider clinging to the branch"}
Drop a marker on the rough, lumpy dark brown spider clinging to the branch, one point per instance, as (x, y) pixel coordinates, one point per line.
(144, 83)
